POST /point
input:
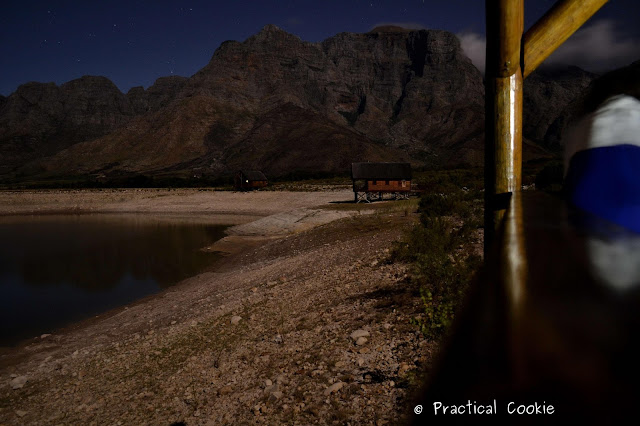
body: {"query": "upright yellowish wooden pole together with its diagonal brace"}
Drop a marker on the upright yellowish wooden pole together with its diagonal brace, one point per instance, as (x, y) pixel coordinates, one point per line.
(512, 56)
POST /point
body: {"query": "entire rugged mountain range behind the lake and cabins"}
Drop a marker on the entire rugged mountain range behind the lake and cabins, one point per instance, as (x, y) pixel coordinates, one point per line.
(276, 103)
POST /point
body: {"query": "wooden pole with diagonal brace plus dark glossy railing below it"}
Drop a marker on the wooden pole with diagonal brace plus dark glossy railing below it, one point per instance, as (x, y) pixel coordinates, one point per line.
(546, 326)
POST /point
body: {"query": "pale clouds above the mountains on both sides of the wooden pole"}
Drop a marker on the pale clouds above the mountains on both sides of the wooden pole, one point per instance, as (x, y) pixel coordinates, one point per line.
(596, 47)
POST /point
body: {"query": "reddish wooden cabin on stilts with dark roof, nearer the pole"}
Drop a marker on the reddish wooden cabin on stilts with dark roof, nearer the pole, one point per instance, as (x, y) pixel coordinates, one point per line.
(376, 179)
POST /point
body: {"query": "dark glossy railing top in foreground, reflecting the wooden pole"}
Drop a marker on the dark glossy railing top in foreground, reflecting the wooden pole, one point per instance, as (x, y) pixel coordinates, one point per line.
(549, 321)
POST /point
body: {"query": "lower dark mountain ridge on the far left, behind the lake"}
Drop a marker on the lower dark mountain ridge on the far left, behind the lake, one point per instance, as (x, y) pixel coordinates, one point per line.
(41, 119)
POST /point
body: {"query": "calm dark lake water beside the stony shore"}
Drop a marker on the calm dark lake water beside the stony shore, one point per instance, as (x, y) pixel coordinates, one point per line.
(58, 269)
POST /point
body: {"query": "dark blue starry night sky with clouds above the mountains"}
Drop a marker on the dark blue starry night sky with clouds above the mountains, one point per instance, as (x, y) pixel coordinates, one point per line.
(134, 42)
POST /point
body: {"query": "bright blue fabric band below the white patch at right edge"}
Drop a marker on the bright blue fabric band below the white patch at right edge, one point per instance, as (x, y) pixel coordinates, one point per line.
(606, 182)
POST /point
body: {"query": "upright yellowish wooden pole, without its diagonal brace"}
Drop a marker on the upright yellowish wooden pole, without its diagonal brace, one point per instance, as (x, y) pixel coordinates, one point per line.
(503, 109)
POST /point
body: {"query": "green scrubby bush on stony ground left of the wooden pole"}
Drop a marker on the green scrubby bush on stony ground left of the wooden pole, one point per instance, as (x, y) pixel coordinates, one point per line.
(440, 268)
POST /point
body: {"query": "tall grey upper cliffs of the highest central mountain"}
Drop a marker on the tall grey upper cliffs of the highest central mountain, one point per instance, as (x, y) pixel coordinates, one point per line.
(413, 91)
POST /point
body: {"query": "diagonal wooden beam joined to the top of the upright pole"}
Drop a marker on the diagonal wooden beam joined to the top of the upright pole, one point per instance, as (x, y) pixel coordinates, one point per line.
(562, 20)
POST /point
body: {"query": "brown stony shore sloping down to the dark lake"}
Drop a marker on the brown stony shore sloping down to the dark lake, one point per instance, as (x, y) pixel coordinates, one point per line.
(313, 327)
